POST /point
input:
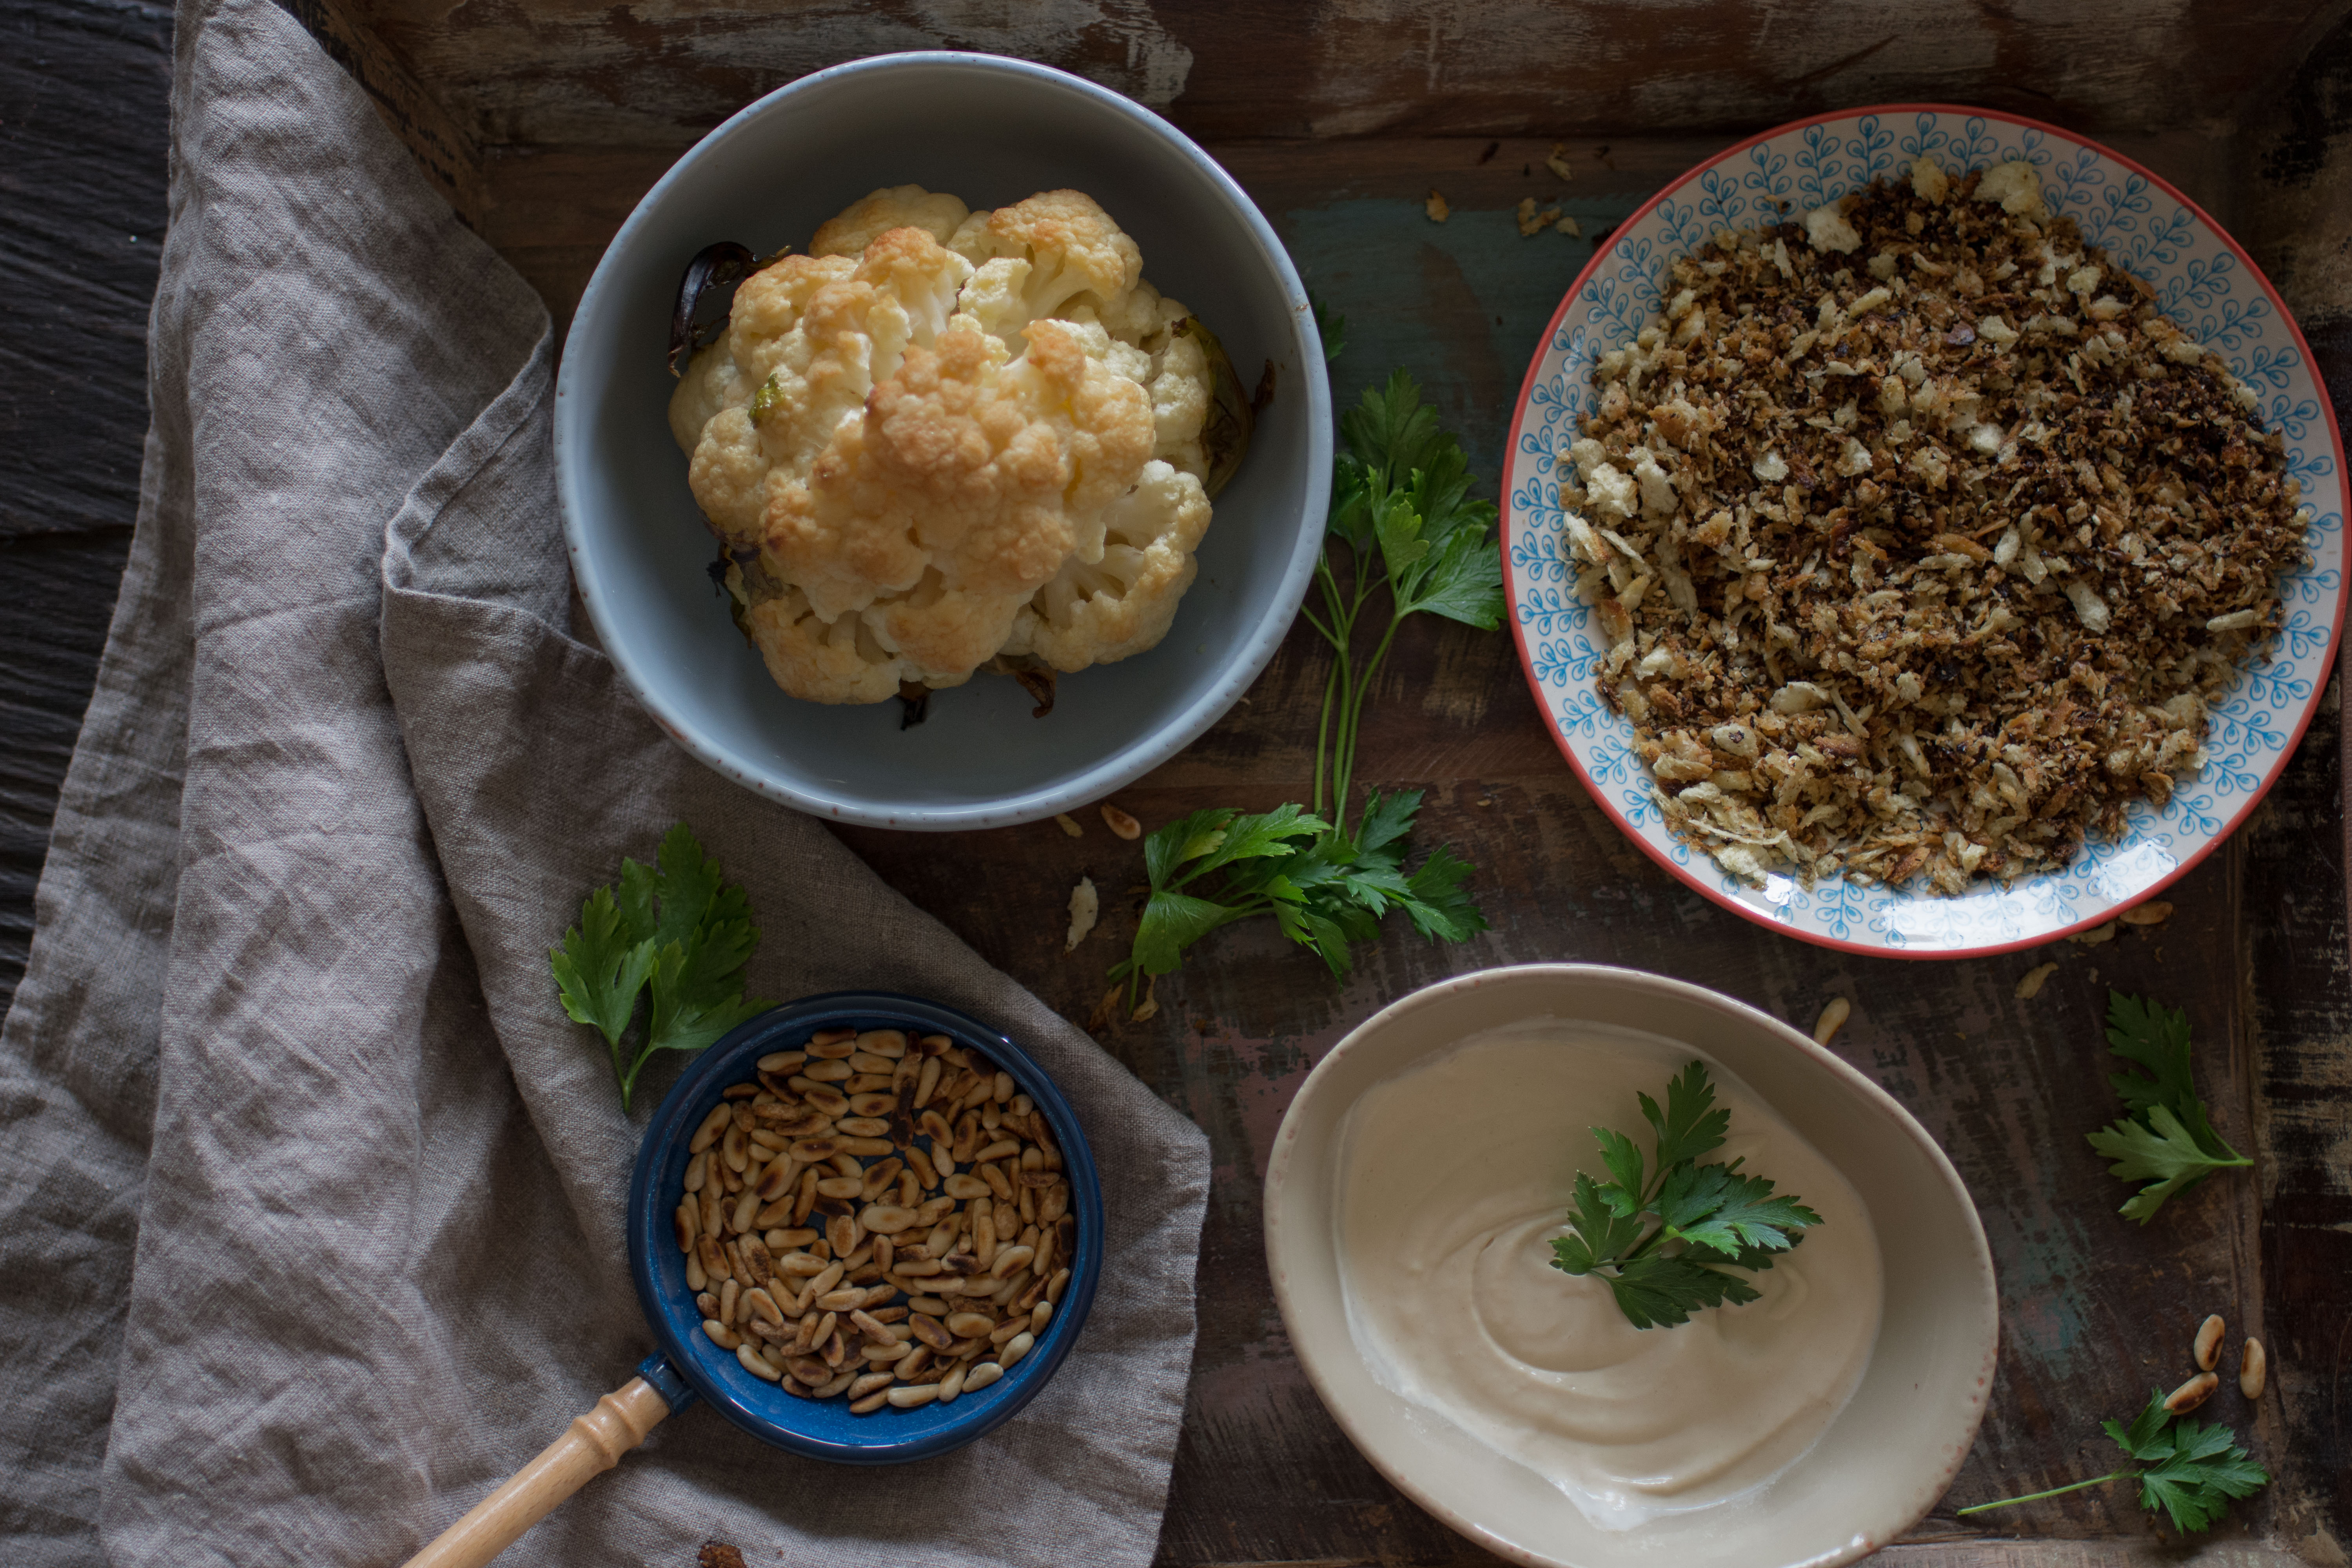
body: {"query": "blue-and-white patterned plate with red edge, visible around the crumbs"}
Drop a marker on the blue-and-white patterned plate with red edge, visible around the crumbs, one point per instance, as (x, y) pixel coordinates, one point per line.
(2203, 281)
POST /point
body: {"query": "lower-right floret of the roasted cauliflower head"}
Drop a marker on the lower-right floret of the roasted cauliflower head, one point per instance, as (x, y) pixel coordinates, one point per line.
(1121, 603)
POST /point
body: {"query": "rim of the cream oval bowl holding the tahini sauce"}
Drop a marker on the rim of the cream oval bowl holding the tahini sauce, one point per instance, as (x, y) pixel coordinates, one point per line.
(1311, 1353)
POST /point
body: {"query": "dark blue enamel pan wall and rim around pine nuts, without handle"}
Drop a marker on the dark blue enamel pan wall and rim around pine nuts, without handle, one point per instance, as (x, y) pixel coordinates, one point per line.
(679, 1327)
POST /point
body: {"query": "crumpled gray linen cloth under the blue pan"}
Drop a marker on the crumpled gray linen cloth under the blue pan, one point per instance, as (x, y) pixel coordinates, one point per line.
(309, 1193)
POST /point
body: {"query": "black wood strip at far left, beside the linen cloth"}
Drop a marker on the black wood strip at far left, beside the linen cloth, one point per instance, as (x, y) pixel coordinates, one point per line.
(83, 119)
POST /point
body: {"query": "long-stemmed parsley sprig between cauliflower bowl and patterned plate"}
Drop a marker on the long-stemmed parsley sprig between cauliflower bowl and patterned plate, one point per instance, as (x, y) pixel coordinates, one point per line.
(1405, 530)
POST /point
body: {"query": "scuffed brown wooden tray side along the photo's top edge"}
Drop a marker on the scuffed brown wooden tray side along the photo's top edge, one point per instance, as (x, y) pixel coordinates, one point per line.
(582, 72)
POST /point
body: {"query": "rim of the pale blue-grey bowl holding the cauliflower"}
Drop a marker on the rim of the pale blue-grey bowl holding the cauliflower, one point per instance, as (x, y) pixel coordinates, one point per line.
(1111, 772)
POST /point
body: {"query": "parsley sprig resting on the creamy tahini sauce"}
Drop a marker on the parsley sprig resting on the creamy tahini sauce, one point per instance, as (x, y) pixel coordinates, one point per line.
(1669, 1233)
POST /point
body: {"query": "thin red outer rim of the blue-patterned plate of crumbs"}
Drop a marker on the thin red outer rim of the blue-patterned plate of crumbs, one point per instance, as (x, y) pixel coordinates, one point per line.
(1822, 939)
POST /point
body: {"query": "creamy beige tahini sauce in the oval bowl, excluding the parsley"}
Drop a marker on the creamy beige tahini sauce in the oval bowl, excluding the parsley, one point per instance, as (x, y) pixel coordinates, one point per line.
(1457, 1177)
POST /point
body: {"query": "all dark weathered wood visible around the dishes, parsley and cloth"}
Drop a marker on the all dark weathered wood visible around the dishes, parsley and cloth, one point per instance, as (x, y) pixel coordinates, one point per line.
(547, 119)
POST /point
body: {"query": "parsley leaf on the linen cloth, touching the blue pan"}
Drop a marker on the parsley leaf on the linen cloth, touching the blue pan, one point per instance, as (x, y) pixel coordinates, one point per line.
(681, 932)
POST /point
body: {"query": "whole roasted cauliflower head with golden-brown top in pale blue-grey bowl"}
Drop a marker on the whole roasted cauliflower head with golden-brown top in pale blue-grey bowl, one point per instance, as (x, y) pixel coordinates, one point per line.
(949, 438)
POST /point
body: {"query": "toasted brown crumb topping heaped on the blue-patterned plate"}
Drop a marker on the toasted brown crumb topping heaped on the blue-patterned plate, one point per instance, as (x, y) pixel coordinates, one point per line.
(1920, 537)
